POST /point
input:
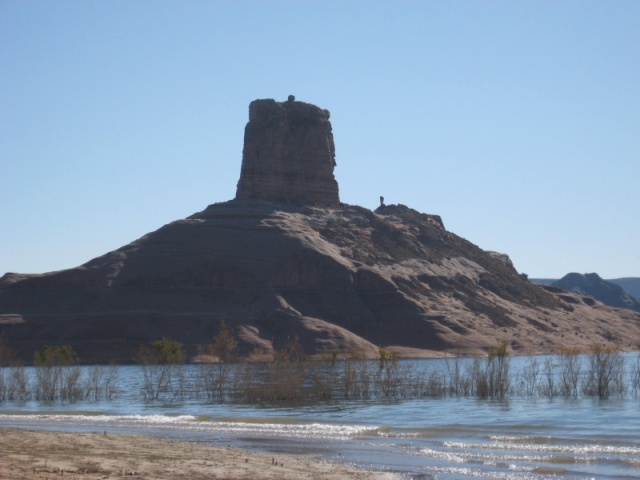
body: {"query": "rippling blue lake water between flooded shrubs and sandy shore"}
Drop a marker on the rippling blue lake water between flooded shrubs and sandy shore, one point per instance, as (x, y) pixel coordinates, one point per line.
(519, 437)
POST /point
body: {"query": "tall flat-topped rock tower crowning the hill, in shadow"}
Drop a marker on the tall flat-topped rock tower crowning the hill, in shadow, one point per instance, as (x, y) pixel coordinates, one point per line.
(288, 155)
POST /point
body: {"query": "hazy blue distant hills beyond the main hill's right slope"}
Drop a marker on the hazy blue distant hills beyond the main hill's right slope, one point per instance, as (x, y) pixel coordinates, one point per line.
(608, 292)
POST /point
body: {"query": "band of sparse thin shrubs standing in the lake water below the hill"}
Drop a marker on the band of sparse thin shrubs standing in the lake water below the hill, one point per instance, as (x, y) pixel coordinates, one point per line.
(287, 375)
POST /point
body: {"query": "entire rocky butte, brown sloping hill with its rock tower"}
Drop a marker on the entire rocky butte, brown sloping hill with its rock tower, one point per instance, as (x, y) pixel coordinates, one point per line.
(339, 277)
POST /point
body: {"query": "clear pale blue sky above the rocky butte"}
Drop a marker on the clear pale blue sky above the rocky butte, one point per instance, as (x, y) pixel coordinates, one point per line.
(516, 121)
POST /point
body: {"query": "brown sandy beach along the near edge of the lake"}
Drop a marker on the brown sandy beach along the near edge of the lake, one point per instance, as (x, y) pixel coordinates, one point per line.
(28, 454)
